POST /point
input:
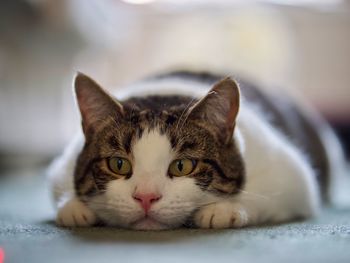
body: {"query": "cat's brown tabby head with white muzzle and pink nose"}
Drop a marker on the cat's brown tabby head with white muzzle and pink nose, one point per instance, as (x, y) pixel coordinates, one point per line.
(152, 162)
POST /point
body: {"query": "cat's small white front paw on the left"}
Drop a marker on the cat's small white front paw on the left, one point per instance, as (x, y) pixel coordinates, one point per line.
(74, 213)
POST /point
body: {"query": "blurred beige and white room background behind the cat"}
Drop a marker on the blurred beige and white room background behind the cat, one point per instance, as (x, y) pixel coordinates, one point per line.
(294, 46)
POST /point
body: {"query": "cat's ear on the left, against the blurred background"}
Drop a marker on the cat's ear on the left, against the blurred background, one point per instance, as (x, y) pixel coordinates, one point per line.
(95, 104)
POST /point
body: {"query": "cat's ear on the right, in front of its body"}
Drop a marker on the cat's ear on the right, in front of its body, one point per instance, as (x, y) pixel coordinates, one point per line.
(220, 108)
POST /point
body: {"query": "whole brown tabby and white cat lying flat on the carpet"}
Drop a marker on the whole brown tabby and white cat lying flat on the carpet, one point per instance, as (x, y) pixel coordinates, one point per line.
(190, 149)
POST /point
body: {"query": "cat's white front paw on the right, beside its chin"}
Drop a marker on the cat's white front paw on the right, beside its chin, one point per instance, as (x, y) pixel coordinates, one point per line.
(221, 215)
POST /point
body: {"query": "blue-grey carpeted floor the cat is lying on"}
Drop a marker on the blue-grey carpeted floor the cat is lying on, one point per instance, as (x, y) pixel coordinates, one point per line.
(27, 234)
